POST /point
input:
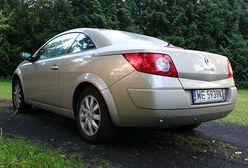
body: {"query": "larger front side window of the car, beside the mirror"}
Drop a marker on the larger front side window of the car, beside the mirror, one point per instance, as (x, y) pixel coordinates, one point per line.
(57, 46)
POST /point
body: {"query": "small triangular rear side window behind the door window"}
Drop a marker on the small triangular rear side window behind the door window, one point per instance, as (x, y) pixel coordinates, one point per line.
(83, 42)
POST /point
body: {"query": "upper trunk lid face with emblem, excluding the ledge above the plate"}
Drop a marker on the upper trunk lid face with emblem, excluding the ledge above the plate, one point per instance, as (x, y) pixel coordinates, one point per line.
(192, 65)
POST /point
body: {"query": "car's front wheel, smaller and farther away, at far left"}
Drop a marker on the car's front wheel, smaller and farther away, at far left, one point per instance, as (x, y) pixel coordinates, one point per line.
(18, 98)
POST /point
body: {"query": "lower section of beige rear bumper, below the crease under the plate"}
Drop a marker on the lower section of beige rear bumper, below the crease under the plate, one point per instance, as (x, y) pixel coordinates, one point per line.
(163, 118)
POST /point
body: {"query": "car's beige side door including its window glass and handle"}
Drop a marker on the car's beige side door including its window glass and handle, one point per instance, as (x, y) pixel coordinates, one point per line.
(42, 76)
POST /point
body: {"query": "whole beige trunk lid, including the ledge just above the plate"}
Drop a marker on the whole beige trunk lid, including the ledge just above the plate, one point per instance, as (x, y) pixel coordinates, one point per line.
(198, 69)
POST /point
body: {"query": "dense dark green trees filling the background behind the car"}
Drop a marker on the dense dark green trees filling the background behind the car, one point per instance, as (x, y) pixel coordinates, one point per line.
(214, 26)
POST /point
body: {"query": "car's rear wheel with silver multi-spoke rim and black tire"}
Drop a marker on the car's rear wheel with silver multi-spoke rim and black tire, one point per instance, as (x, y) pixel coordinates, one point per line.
(92, 117)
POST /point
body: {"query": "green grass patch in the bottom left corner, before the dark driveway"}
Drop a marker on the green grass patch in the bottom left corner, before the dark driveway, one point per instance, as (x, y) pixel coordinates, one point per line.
(18, 153)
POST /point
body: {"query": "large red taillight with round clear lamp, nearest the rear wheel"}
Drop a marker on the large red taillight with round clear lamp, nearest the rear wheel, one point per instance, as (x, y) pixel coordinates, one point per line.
(158, 64)
